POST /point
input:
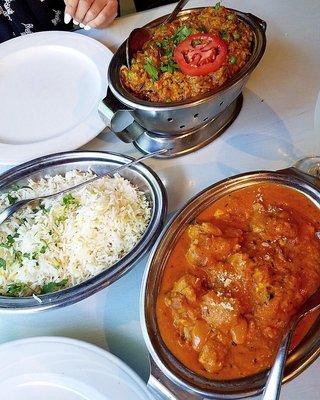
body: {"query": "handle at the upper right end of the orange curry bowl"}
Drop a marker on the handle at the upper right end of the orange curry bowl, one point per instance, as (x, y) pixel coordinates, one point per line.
(307, 168)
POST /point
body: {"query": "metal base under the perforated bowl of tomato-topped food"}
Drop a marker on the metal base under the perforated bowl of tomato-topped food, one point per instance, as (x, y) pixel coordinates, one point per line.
(191, 141)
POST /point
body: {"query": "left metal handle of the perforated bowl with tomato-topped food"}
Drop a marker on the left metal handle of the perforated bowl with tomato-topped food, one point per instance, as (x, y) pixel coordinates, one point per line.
(119, 119)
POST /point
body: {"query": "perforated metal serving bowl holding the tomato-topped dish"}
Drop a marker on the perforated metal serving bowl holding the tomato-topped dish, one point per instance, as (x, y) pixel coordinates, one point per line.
(178, 118)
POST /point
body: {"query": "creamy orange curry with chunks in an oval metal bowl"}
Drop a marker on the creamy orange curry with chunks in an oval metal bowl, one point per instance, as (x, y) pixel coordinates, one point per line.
(236, 276)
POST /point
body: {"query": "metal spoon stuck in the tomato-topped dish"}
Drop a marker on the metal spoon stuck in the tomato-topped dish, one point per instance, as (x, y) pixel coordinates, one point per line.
(139, 36)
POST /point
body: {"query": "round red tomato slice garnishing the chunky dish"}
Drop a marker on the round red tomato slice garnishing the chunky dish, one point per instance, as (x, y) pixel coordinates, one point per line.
(200, 54)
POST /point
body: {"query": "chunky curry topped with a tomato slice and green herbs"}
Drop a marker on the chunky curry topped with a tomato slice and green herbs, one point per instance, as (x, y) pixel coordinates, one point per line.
(189, 56)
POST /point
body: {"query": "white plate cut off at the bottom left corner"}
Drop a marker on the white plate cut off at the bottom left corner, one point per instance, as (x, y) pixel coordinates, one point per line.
(54, 368)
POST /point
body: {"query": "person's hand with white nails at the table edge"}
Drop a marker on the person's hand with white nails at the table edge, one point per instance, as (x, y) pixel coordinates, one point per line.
(91, 13)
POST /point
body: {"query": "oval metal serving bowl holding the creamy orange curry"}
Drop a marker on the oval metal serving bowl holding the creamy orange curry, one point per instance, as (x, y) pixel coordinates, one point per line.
(168, 375)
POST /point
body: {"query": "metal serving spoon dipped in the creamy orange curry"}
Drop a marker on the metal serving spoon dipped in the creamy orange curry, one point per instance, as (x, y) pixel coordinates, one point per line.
(273, 384)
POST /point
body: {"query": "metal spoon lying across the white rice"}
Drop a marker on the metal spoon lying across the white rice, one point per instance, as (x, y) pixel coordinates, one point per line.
(7, 212)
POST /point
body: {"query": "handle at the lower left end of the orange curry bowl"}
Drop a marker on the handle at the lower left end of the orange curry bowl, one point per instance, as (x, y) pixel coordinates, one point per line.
(162, 388)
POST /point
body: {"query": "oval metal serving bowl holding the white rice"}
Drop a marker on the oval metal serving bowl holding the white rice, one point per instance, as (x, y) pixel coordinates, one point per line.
(100, 162)
